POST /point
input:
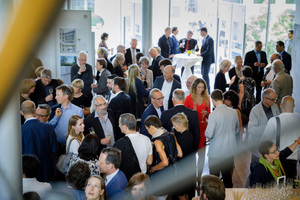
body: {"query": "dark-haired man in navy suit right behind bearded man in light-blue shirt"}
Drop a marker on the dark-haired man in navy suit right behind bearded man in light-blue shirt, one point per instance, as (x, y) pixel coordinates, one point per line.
(120, 103)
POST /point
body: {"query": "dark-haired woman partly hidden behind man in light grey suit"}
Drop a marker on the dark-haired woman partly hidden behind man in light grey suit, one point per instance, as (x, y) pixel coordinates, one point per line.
(231, 99)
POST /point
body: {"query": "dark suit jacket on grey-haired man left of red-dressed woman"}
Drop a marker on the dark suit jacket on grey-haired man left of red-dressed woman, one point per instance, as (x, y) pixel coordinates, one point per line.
(192, 117)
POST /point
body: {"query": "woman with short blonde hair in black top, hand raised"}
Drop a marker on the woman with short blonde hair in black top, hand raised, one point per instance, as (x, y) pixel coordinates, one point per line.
(220, 80)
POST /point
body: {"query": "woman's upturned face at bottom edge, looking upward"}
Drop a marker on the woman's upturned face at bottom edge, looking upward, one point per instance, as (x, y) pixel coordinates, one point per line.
(95, 188)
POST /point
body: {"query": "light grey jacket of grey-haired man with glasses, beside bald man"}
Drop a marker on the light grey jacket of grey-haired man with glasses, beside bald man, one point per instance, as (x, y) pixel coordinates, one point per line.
(257, 123)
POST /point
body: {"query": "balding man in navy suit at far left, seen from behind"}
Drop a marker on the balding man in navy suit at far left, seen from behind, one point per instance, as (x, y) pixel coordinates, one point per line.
(39, 138)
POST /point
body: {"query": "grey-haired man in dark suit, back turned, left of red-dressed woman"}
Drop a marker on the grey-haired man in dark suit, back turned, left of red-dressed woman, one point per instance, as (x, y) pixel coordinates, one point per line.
(192, 116)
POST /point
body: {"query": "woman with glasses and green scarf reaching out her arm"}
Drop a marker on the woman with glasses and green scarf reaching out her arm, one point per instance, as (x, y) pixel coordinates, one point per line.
(269, 167)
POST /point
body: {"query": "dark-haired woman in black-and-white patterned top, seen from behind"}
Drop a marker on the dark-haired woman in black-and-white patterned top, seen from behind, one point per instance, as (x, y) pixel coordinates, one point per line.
(88, 152)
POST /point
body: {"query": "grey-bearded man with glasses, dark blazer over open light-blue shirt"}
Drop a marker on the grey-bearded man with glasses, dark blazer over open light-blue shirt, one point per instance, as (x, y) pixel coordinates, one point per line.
(102, 122)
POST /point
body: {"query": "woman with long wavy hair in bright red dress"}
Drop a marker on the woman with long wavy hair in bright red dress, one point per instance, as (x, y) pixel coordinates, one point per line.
(199, 100)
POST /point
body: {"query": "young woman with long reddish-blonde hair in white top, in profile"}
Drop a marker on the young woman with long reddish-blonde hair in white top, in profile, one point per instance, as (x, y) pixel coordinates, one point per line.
(74, 136)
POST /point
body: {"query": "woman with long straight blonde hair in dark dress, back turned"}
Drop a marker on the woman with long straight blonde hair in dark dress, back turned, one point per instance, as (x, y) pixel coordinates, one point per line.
(136, 90)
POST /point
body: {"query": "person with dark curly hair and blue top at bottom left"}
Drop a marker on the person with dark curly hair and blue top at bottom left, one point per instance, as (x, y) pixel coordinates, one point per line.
(76, 178)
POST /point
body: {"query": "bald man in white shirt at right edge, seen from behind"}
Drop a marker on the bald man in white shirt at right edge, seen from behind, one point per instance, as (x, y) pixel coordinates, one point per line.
(289, 132)
